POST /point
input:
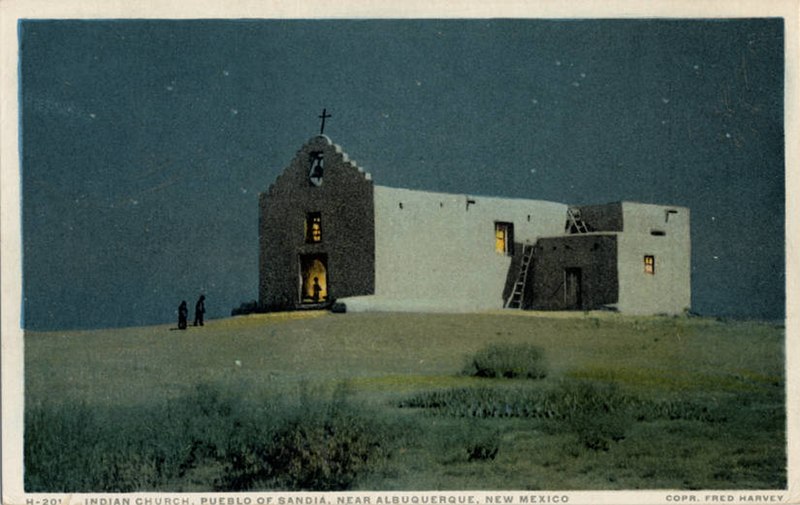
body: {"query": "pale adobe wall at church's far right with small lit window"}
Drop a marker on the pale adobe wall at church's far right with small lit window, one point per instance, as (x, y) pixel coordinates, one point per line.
(669, 290)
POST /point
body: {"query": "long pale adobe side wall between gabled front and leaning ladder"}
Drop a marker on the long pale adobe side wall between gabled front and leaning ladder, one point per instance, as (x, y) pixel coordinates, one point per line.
(434, 253)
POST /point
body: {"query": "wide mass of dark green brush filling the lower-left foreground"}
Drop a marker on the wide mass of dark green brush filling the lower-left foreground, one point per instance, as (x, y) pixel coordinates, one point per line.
(211, 437)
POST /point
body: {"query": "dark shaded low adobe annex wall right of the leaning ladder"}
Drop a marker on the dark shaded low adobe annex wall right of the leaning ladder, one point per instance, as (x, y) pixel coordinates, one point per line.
(594, 255)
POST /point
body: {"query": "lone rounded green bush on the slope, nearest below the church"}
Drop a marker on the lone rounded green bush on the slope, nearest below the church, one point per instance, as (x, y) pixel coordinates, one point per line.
(508, 361)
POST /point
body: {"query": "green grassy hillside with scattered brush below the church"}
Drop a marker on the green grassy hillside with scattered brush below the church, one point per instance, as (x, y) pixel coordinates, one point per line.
(313, 400)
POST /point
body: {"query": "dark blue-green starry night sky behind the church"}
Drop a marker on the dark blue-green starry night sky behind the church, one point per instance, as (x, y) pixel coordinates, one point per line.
(145, 143)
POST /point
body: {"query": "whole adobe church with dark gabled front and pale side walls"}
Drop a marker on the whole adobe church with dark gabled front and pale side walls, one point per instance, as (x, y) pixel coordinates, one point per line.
(330, 237)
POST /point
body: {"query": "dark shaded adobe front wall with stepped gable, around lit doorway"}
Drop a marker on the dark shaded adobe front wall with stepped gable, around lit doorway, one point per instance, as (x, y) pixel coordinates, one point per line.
(345, 201)
